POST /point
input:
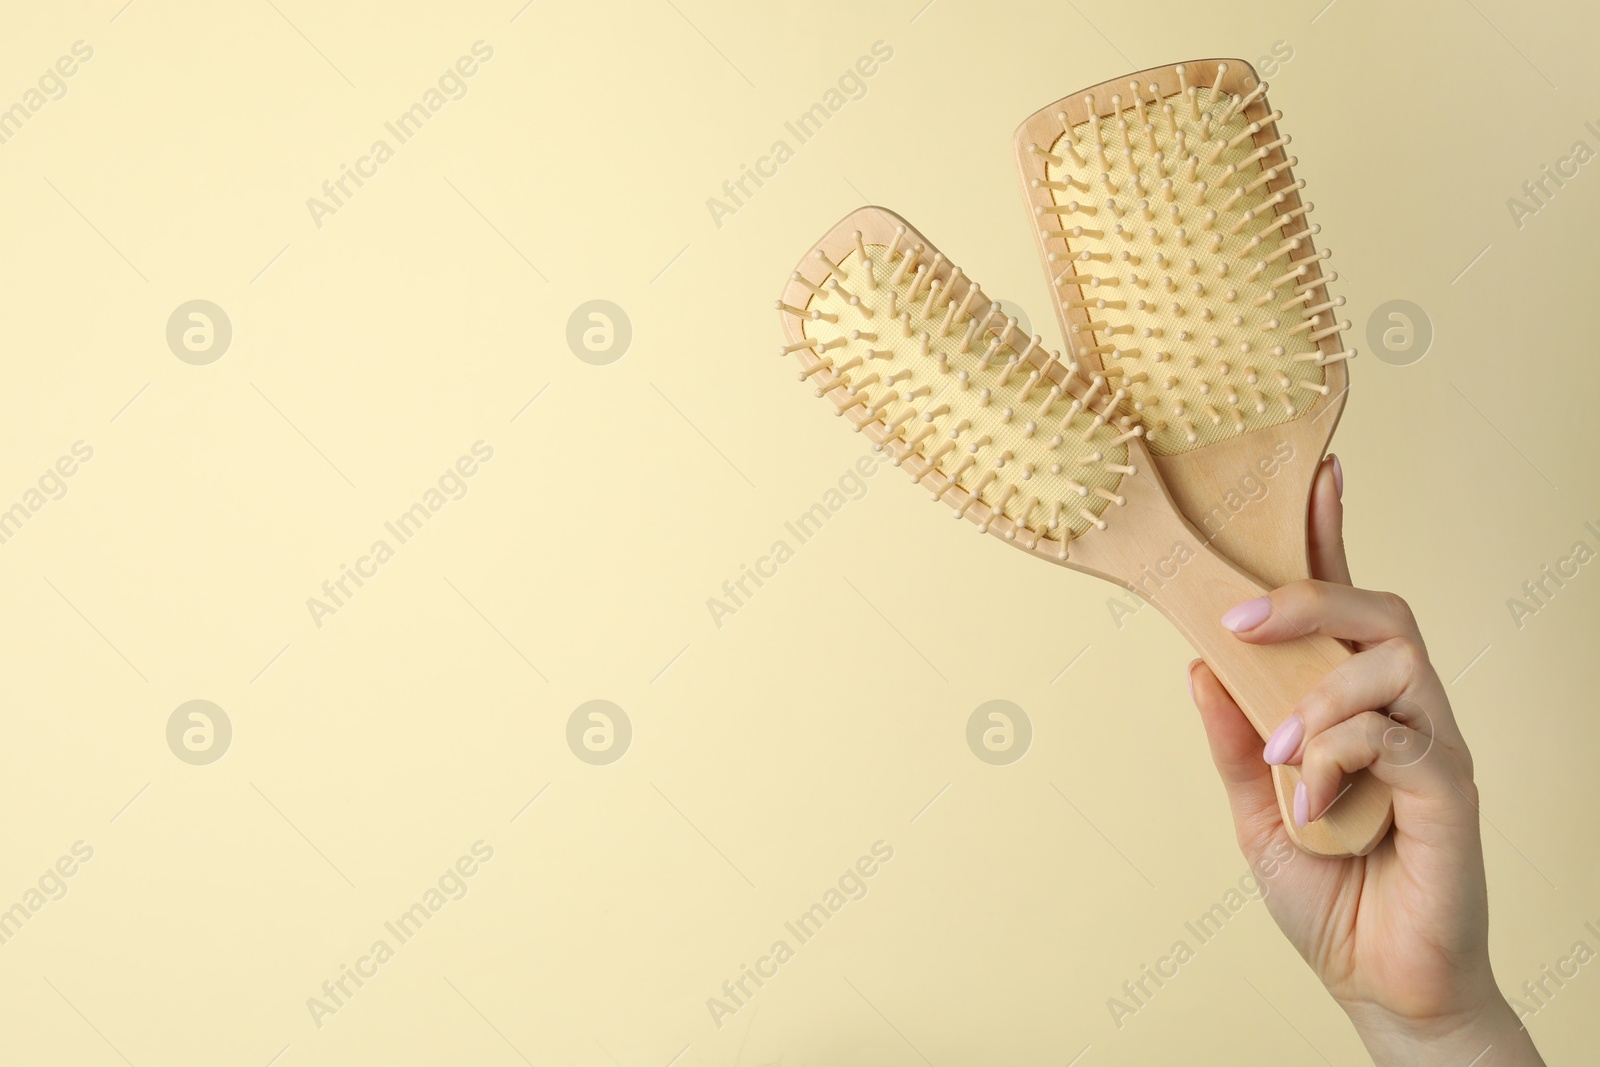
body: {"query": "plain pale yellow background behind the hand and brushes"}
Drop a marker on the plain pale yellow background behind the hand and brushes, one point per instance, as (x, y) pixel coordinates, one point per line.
(769, 754)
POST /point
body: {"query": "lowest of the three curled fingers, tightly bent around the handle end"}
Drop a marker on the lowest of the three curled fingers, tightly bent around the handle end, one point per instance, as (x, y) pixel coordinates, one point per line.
(1433, 793)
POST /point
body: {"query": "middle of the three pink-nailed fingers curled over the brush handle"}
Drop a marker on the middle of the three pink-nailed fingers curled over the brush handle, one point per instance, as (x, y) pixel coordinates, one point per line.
(1394, 674)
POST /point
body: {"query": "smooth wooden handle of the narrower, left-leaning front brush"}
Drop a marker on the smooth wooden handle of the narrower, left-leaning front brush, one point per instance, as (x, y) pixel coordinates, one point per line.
(1266, 681)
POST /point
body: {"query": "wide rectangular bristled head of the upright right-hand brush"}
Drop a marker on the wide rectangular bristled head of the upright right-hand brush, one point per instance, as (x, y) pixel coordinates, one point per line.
(1180, 252)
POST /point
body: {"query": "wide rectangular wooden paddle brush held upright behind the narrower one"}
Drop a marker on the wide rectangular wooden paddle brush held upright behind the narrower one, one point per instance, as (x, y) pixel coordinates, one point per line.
(1183, 268)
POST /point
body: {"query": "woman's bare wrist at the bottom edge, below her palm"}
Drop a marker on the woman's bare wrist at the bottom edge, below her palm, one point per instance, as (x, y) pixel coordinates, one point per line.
(1489, 1037)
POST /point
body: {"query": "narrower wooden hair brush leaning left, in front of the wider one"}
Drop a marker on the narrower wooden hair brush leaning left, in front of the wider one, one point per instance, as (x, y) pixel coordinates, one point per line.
(1038, 452)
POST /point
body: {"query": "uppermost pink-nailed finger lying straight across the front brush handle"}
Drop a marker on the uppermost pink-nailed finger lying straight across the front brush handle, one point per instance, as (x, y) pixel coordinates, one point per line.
(1318, 607)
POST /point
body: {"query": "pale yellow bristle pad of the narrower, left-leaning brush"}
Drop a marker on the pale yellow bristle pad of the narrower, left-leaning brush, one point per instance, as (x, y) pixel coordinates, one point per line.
(1050, 481)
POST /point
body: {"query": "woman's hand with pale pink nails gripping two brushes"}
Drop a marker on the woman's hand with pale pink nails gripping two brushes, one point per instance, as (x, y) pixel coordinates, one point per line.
(1399, 937)
